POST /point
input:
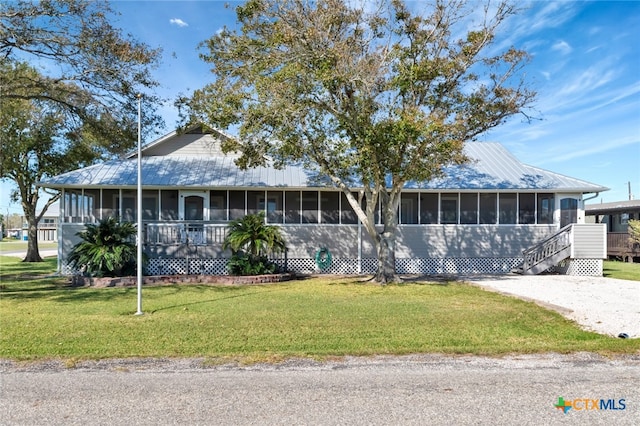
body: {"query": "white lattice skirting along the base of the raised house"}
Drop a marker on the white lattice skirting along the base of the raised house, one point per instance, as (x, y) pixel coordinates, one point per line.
(427, 266)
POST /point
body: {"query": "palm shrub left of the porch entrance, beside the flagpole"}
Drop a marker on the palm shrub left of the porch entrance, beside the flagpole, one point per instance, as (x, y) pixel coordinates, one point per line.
(106, 250)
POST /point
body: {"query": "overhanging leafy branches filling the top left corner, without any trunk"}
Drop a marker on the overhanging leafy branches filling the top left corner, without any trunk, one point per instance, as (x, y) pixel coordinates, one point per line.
(87, 68)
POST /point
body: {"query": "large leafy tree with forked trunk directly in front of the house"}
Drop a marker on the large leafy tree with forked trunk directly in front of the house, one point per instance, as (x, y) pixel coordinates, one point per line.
(373, 96)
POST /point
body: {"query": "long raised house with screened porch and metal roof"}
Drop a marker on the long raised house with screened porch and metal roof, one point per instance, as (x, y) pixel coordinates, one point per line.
(479, 218)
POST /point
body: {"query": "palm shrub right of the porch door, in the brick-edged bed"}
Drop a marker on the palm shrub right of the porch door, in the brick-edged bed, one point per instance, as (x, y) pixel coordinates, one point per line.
(251, 241)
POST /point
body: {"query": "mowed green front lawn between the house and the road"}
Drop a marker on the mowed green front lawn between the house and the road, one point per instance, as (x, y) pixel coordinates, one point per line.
(42, 317)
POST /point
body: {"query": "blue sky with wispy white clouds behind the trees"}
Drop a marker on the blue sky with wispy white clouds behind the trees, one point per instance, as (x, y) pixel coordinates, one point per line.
(585, 67)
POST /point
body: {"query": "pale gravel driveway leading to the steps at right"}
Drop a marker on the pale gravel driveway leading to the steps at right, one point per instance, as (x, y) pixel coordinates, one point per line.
(604, 305)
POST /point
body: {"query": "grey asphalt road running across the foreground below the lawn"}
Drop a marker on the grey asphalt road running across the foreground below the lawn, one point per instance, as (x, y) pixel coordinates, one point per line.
(412, 390)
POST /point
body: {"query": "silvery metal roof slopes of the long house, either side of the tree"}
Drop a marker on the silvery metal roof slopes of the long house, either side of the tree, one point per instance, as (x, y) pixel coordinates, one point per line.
(492, 168)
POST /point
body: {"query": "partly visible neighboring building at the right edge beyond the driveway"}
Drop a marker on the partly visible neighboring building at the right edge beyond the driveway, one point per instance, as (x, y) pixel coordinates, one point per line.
(616, 217)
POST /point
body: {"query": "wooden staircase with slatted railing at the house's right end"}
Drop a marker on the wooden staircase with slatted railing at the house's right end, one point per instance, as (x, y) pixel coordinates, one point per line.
(548, 253)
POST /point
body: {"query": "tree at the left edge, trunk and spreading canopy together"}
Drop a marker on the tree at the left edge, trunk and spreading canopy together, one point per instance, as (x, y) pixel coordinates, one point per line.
(88, 77)
